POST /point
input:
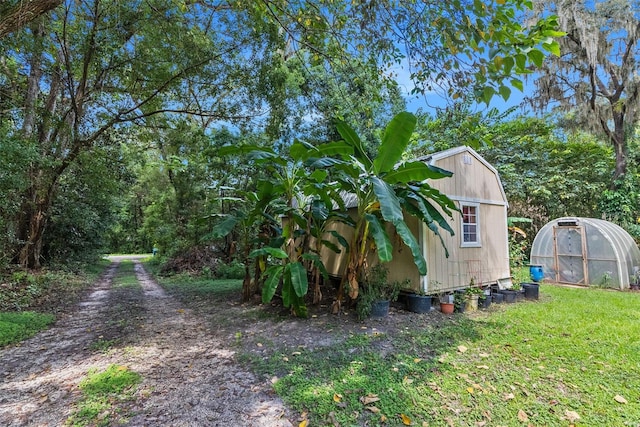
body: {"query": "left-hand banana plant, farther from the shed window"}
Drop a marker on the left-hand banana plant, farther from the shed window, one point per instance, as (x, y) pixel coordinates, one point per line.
(302, 202)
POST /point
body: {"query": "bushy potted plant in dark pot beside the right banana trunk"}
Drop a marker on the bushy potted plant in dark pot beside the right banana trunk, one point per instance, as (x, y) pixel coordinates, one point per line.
(376, 293)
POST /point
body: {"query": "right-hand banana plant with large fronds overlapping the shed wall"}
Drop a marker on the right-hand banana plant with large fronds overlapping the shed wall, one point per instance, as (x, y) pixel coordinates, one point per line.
(386, 190)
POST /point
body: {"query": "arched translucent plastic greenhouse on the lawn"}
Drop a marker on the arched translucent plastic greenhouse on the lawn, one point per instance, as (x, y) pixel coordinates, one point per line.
(586, 251)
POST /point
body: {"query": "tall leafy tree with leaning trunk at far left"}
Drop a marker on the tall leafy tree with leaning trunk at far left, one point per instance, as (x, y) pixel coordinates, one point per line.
(101, 65)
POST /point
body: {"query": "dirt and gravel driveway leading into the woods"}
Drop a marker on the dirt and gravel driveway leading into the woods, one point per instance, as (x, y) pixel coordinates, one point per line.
(189, 375)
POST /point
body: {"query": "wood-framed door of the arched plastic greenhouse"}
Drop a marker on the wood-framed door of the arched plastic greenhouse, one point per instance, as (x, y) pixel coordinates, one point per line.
(570, 252)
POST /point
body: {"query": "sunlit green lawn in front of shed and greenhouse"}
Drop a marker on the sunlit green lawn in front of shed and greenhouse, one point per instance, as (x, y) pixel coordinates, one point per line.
(572, 358)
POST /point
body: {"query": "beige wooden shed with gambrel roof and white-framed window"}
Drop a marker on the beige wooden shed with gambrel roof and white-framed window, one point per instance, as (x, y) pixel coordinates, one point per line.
(479, 249)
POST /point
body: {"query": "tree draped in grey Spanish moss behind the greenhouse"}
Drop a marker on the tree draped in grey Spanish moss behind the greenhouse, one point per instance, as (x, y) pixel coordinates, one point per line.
(595, 79)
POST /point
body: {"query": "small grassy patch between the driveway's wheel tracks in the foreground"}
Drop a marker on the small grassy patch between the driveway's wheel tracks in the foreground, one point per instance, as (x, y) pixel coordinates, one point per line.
(104, 395)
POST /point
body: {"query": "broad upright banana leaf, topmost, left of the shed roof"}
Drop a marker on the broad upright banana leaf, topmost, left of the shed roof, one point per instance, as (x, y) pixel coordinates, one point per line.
(394, 141)
